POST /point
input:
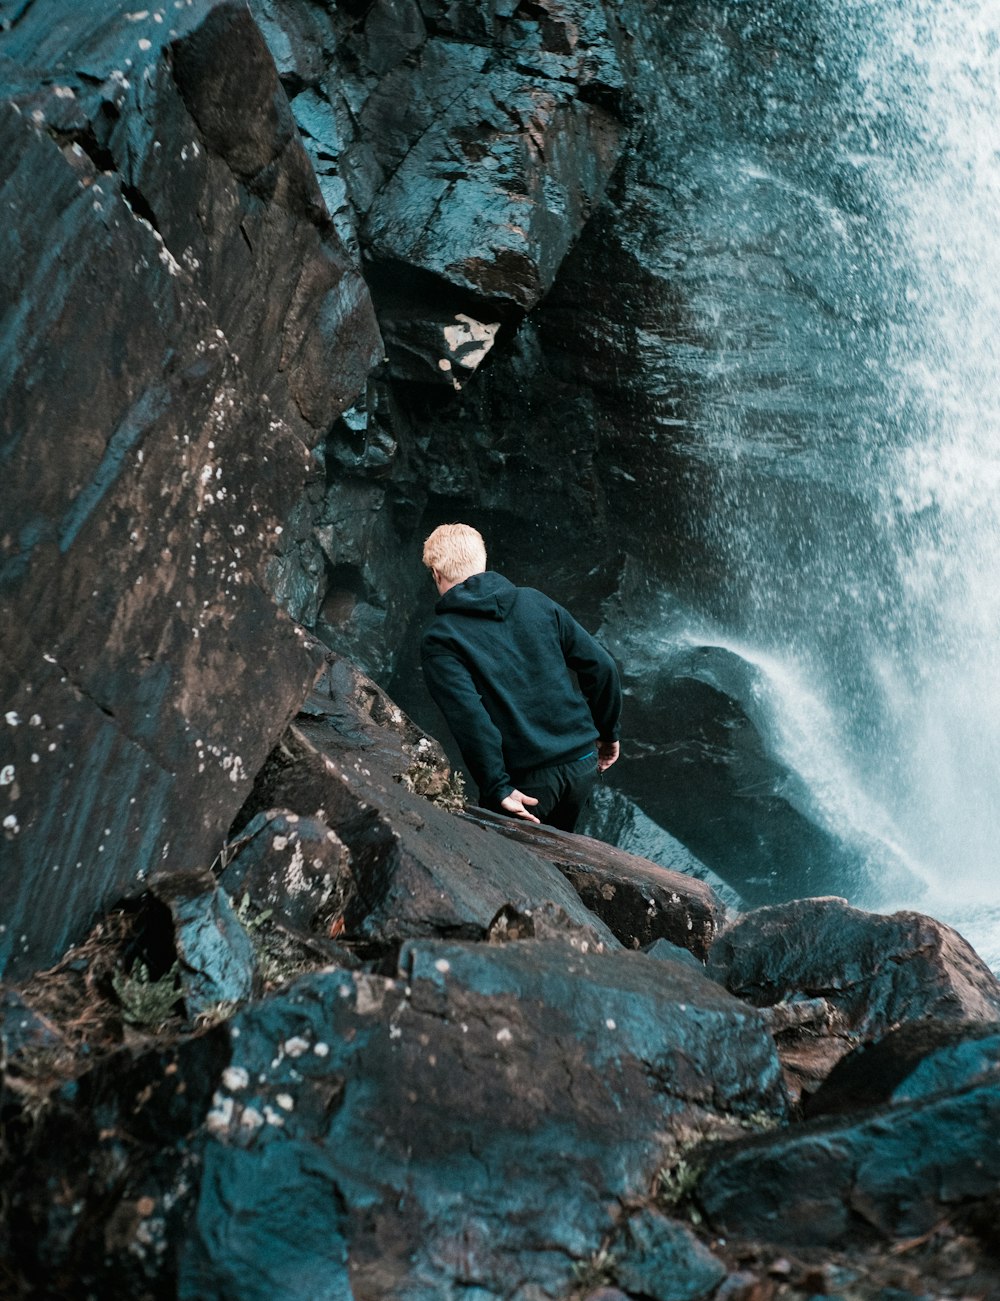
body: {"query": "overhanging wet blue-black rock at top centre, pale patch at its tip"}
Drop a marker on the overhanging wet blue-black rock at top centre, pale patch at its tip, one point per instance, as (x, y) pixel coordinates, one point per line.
(465, 146)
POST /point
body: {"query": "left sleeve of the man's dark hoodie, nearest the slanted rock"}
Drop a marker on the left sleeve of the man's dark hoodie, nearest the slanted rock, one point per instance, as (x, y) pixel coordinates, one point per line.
(479, 740)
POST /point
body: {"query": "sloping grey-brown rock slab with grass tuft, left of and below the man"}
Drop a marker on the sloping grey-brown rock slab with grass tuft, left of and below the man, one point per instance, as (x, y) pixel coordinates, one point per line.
(350, 763)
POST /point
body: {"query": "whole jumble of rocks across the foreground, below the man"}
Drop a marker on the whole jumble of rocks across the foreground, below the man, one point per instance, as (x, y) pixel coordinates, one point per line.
(393, 1048)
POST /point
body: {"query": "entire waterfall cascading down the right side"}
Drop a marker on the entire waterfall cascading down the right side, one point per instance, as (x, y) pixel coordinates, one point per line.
(839, 197)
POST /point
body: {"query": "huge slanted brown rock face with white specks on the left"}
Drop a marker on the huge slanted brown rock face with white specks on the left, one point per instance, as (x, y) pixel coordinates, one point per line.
(181, 326)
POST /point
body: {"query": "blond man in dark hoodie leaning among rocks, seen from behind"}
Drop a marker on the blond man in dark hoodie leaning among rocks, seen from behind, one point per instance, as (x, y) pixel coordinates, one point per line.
(499, 660)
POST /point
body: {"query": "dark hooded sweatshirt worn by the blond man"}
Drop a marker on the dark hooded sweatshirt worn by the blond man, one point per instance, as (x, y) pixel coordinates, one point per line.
(497, 662)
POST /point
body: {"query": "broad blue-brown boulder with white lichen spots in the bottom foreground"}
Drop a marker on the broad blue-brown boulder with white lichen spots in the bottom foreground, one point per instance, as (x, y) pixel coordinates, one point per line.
(471, 1123)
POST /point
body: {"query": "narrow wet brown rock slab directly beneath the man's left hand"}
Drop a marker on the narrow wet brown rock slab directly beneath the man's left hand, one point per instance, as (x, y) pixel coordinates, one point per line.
(638, 901)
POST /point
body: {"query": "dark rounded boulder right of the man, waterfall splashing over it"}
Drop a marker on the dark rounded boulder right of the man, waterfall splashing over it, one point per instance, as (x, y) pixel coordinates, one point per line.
(713, 770)
